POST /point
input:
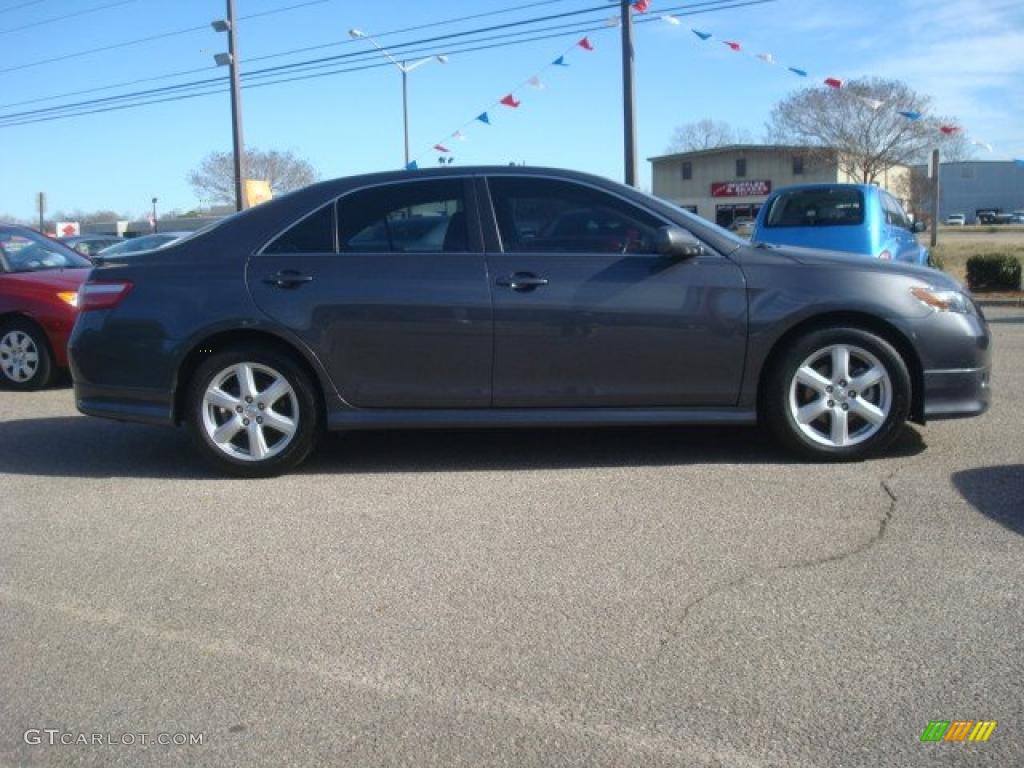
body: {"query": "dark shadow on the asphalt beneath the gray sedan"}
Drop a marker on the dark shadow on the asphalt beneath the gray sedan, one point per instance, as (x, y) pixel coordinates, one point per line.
(80, 447)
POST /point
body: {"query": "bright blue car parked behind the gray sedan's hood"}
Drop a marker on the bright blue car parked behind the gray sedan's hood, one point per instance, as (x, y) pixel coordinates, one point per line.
(855, 219)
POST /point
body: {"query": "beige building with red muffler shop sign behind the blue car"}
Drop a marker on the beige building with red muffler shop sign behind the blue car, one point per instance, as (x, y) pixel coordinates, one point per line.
(733, 183)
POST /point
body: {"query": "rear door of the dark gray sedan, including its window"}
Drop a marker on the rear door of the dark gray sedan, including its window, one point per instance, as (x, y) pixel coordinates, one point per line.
(389, 287)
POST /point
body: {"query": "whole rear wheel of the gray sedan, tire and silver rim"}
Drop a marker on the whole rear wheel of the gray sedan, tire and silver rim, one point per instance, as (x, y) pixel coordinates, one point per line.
(282, 421)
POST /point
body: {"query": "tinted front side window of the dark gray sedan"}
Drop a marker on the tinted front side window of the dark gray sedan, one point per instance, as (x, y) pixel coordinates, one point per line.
(551, 216)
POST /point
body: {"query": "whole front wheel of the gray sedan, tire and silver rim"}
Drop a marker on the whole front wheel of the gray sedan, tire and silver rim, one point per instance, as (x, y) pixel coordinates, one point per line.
(814, 406)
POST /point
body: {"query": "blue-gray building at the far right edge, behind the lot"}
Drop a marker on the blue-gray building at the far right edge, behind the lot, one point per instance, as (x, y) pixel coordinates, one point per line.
(974, 187)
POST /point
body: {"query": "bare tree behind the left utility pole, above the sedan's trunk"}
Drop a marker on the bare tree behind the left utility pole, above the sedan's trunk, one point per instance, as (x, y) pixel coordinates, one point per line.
(215, 180)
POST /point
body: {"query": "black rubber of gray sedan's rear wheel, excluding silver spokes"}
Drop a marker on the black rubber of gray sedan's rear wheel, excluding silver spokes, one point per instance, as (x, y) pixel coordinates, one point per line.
(307, 404)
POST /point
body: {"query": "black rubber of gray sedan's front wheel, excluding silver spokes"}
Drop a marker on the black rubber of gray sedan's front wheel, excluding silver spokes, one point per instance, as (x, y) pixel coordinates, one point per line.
(780, 388)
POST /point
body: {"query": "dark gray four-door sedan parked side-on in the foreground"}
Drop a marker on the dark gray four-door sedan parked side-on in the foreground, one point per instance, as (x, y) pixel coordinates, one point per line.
(313, 312)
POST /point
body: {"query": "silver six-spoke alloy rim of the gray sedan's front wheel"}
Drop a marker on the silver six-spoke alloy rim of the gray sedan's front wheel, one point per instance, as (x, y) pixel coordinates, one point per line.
(841, 396)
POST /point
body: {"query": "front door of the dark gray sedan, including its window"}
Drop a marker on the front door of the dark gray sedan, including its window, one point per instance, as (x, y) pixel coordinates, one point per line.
(588, 315)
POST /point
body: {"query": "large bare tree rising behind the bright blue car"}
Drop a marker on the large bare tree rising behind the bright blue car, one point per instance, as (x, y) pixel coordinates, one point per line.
(861, 125)
